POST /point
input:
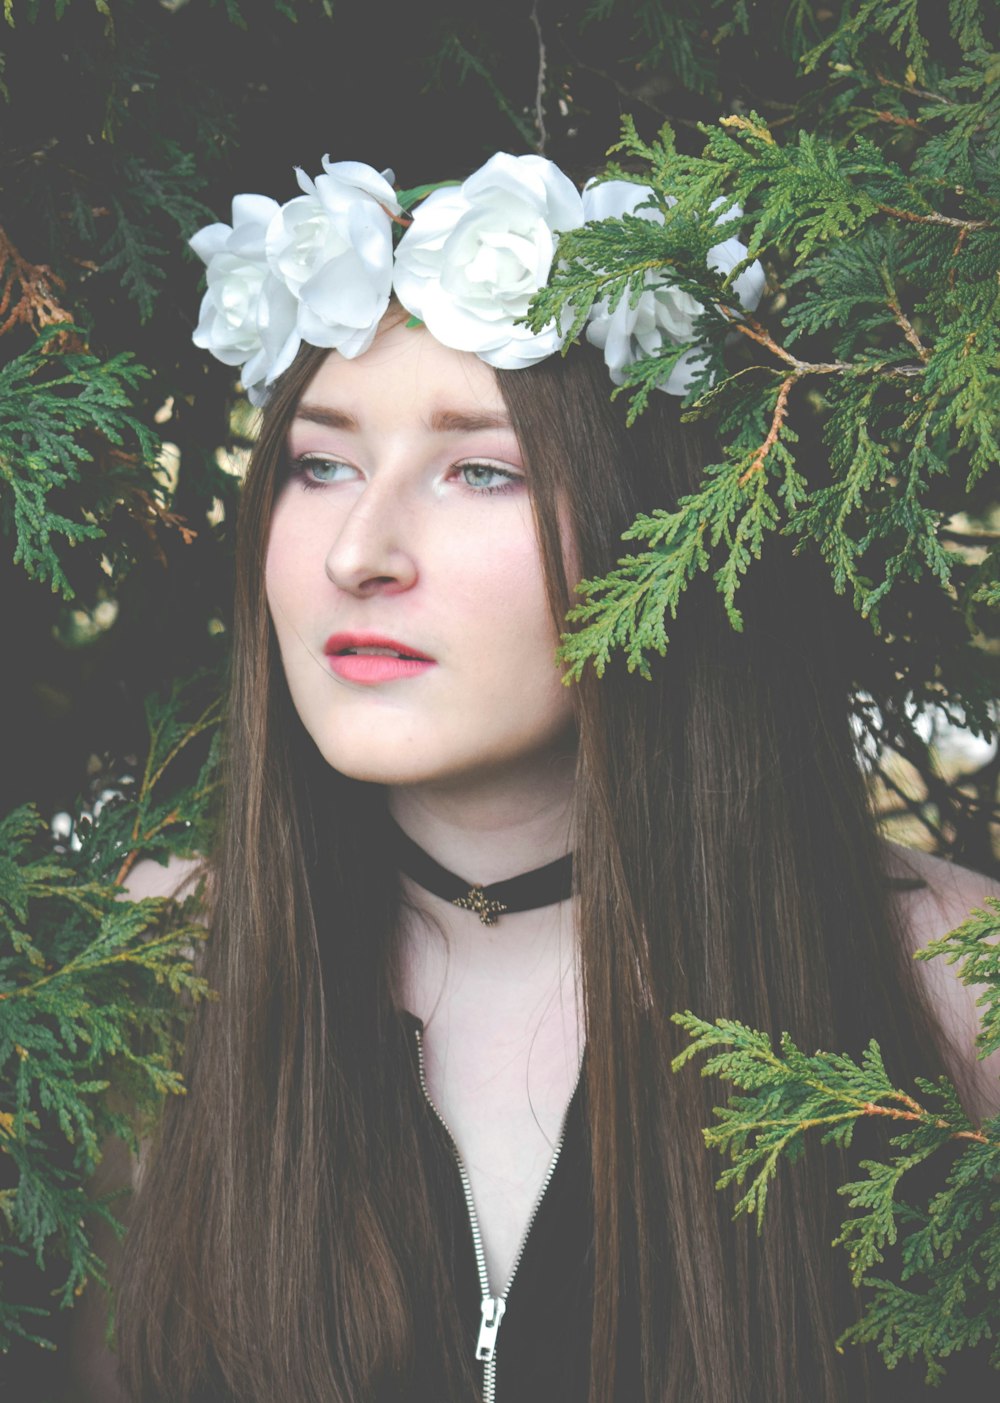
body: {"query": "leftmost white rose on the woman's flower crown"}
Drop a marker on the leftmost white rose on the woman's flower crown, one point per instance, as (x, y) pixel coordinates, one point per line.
(248, 318)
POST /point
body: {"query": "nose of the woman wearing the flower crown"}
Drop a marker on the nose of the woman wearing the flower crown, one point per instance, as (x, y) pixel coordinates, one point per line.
(372, 552)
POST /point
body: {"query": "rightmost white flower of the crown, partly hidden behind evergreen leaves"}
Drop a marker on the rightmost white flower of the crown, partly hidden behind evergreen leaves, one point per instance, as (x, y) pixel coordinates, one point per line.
(663, 314)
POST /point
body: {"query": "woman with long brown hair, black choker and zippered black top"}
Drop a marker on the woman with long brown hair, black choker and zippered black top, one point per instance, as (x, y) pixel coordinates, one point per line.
(435, 1150)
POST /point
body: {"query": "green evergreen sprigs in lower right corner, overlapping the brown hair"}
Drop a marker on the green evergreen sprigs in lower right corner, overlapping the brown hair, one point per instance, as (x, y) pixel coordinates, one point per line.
(945, 1297)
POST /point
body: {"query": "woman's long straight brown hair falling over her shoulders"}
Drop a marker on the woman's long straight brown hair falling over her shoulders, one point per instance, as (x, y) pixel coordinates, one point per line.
(726, 862)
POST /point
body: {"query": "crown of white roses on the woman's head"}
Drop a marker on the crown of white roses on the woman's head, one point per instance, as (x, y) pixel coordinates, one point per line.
(322, 269)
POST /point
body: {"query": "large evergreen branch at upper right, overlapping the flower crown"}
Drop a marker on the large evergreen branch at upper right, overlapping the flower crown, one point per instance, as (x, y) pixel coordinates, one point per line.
(904, 335)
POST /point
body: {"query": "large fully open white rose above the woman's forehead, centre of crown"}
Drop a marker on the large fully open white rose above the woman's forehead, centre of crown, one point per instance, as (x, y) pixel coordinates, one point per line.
(475, 256)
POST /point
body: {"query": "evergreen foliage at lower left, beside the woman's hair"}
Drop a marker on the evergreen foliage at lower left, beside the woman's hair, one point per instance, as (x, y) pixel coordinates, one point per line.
(93, 995)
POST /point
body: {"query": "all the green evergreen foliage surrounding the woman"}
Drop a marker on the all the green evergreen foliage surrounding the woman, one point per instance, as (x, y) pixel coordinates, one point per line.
(856, 415)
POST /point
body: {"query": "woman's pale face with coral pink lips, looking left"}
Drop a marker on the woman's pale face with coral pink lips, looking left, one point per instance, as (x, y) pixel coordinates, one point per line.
(405, 528)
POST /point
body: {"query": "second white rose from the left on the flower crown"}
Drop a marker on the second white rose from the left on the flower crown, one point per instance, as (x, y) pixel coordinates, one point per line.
(333, 249)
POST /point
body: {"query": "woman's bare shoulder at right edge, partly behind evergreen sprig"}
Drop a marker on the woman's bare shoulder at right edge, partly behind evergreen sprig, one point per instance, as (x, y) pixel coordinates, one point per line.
(943, 900)
